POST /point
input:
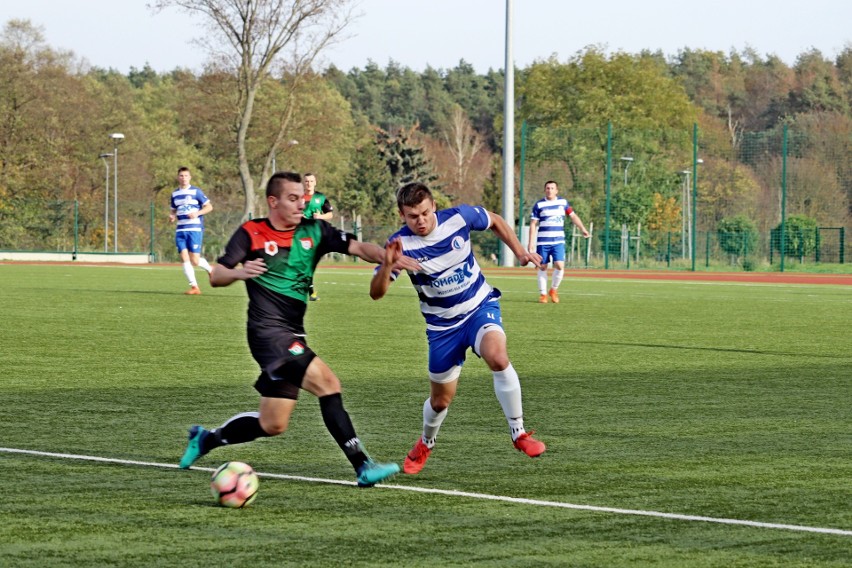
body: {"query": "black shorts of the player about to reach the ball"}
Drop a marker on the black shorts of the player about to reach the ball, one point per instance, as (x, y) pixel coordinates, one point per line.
(283, 357)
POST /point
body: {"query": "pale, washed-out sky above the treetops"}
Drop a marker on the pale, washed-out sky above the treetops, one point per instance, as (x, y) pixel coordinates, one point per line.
(121, 34)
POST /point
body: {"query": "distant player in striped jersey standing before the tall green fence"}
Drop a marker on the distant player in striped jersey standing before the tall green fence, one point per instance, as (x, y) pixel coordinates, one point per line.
(547, 235)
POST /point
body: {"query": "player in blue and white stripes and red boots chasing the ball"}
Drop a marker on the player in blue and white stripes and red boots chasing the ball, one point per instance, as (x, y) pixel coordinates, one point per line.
(461, 309)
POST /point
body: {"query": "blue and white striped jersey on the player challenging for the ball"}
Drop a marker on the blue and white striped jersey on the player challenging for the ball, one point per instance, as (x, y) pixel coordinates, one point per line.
(450, 282)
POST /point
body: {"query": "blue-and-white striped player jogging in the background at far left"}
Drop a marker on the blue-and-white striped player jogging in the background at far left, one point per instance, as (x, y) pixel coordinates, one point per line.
(188, 207)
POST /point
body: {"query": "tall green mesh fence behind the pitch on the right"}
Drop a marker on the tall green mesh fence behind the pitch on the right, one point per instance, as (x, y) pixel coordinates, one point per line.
(696, 200)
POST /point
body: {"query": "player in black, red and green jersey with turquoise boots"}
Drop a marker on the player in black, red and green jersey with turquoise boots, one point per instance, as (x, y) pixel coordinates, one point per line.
(276, 257)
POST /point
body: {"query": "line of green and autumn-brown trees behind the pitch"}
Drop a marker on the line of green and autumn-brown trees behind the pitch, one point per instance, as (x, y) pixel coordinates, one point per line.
(366, 130)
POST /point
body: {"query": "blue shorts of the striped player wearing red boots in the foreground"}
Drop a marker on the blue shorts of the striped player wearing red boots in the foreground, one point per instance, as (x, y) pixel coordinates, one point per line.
(447, 348)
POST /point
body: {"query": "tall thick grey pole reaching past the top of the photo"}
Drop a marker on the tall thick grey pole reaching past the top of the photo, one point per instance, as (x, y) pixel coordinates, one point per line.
(508, 139)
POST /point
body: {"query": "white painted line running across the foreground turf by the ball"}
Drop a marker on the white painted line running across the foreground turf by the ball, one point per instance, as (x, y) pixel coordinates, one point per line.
(453, 493)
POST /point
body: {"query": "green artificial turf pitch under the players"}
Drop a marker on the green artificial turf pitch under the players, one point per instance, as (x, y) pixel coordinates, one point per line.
(719, 400)
